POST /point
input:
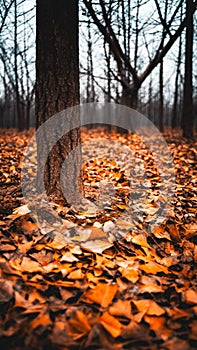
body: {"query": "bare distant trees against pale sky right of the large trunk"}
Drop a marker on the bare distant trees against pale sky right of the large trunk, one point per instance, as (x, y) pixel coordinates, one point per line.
(140, 39)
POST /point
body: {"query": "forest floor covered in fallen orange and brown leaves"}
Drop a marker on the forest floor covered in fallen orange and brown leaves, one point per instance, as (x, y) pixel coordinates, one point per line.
(126, 278)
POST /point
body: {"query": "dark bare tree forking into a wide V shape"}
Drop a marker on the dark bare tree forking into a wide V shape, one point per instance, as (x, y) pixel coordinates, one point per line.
(170, 35)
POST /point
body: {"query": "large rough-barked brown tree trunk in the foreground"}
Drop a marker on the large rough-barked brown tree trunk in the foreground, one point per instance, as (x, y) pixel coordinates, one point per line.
(57, 88)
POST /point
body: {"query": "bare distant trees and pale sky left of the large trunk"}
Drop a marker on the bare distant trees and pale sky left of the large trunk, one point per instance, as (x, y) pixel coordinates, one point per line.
(17, 78)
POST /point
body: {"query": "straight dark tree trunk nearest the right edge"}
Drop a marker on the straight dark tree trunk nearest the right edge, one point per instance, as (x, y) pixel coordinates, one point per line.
(187, 111)
